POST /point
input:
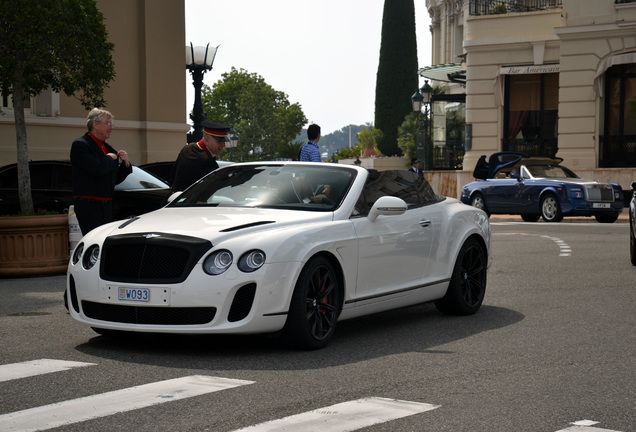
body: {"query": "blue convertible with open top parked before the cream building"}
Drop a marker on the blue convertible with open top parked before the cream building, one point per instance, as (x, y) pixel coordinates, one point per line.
(534, 187)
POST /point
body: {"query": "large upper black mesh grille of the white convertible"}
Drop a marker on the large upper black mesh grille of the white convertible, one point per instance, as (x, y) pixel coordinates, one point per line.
(150, 258)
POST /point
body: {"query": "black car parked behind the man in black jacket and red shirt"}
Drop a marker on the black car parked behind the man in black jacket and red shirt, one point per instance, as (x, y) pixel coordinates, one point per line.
(51, 188)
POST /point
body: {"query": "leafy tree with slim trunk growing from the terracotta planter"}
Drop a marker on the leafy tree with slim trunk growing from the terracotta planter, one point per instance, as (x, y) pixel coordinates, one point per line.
(58, 44)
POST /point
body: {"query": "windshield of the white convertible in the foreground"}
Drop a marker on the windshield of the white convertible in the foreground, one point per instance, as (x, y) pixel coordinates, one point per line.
(295, 187)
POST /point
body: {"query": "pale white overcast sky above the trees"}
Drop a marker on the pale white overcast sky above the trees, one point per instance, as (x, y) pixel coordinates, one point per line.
(322, 53)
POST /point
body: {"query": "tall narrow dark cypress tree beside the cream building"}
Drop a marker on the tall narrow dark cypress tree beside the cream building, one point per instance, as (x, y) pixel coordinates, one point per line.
(397, 71)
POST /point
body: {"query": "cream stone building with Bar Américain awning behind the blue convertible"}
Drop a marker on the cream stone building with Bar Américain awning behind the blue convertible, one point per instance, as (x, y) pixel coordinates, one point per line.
(545, 77)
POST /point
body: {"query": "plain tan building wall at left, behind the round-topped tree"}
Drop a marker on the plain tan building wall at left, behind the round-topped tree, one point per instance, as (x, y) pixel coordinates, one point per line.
(147, 96)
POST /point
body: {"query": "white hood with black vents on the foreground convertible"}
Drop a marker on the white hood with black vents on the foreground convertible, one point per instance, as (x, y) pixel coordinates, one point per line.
(211, 223)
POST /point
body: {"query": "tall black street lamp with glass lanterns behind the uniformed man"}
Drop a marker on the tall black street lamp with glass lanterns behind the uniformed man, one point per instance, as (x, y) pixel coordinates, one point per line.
(199, 60)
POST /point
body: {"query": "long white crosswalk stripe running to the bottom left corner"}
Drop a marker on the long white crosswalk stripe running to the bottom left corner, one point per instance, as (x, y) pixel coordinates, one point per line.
(101, 405)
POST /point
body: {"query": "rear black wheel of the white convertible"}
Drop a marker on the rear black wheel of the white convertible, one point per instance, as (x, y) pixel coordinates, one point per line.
(467, 286)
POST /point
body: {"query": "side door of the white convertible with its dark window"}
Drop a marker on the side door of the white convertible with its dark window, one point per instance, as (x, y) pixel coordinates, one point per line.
(394, 250)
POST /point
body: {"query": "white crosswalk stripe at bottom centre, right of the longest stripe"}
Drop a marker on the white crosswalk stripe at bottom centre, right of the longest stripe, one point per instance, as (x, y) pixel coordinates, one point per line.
(344, 416)
